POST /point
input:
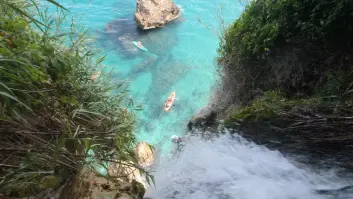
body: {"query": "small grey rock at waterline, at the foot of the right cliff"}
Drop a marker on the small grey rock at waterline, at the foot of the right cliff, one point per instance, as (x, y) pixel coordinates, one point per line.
(204, 118)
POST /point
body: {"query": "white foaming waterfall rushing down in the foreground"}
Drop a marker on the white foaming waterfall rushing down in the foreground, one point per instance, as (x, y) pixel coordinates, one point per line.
(231, 167)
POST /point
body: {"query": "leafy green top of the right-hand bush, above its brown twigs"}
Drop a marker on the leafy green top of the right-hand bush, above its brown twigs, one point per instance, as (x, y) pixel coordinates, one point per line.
(267, 23)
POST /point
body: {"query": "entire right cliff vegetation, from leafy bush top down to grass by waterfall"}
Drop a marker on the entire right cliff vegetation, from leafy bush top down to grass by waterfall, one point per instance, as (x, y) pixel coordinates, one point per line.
(289, 66)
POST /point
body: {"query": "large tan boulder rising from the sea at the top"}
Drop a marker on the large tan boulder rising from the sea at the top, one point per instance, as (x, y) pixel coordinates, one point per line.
(155, 13)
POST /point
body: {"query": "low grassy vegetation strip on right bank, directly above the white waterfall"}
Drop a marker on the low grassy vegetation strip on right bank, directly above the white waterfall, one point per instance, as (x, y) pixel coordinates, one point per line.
(313, 123)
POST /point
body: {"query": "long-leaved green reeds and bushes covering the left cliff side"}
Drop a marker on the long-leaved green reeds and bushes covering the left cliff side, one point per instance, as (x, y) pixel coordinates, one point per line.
(52, 112)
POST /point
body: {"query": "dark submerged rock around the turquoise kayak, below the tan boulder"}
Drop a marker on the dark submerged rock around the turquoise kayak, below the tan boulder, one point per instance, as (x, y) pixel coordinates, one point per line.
(118, 35)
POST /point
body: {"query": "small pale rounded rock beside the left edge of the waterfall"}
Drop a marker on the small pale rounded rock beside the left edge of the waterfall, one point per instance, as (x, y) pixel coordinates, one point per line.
(145, 154)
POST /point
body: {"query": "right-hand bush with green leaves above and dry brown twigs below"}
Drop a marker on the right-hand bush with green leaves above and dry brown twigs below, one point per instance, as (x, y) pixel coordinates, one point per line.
(290, 45)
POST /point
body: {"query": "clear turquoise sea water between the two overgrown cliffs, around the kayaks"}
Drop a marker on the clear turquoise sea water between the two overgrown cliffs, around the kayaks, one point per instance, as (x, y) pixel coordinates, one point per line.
(181, 58)
